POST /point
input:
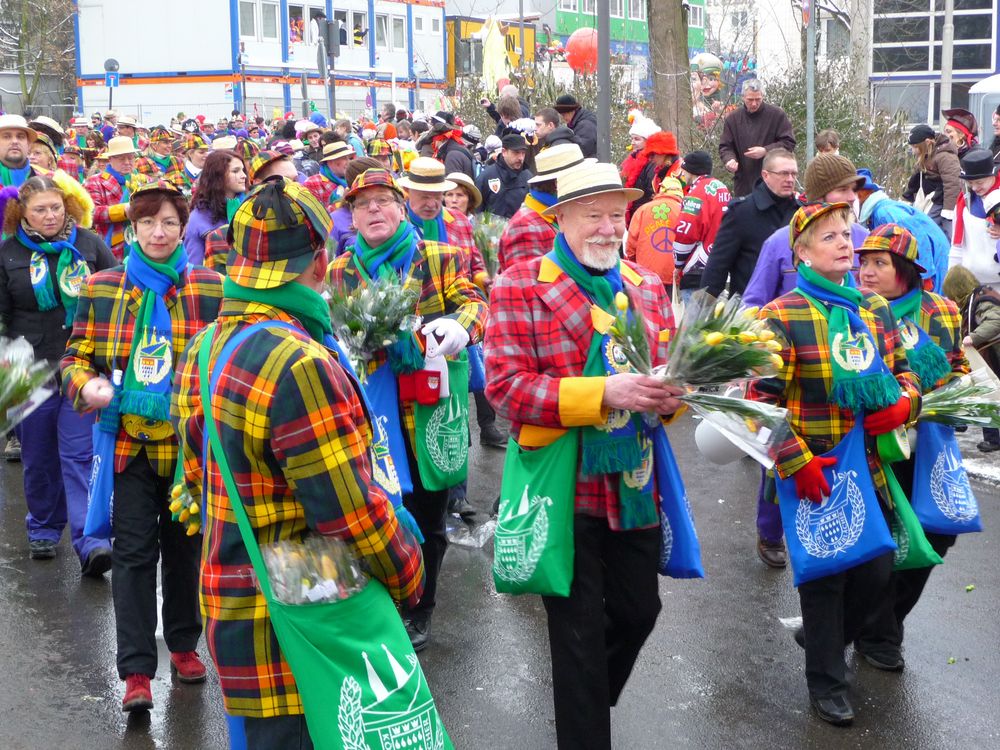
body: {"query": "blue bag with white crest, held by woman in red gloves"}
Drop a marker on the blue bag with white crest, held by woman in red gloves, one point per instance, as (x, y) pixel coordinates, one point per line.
(846, 529)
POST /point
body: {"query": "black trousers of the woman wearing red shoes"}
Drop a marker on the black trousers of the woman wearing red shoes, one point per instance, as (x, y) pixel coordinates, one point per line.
(143, 530)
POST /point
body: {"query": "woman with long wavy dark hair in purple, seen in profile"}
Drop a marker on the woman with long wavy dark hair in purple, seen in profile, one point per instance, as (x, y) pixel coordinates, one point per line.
(219, 192)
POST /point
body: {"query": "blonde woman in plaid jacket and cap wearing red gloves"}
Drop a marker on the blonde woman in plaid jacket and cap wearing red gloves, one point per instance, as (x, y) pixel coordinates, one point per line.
(842, 356)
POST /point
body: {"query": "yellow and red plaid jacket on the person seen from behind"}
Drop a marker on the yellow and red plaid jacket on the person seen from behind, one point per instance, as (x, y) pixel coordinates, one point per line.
(297, 440)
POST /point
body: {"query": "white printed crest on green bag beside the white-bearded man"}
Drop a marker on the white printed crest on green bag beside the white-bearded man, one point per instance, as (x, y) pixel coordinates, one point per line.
(520, 538)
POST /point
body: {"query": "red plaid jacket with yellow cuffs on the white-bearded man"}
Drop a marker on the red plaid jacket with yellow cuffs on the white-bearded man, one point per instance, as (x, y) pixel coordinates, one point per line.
(536, 347)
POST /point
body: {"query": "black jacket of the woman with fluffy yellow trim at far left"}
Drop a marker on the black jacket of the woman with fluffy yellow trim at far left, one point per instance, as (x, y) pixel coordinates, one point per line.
(45, 331)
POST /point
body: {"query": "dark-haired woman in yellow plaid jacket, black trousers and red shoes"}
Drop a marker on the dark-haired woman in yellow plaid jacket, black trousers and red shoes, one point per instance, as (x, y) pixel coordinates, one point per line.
(132, 324)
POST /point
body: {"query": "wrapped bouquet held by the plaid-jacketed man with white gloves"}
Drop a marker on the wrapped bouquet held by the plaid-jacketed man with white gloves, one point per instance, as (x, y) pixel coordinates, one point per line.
(372, 317)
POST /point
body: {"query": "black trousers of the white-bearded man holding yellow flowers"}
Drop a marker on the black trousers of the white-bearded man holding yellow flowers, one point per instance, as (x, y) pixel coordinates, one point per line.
(595, 633)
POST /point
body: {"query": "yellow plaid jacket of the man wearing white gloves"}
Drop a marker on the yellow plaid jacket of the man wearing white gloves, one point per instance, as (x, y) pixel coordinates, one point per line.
(445, 290)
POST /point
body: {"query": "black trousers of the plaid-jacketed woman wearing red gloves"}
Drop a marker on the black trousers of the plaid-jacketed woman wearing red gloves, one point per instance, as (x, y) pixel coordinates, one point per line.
(834, 611)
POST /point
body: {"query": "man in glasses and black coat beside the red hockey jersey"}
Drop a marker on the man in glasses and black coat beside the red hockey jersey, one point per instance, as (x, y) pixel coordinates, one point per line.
(749, 221)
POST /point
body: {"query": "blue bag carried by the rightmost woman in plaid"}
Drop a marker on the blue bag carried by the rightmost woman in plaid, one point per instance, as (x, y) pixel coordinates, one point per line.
(942, 497)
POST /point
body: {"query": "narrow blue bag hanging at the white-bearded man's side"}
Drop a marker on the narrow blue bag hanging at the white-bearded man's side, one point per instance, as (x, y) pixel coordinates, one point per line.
(680, 552)
